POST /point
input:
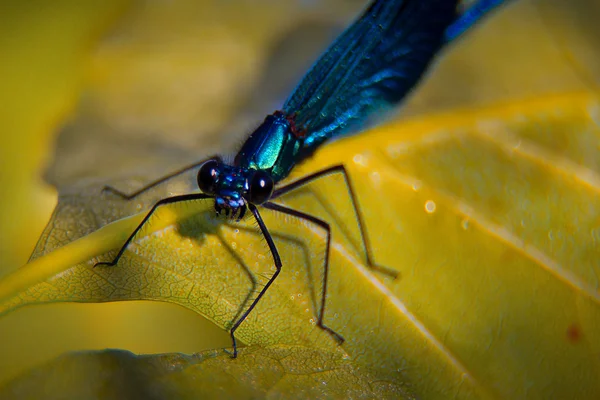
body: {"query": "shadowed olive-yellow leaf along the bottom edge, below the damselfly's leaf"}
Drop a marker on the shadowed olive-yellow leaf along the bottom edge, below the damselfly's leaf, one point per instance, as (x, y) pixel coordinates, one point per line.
(272, 372)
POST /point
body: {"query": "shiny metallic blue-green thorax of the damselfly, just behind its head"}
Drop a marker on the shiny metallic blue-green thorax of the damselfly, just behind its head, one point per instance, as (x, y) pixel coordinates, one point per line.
(275, 147)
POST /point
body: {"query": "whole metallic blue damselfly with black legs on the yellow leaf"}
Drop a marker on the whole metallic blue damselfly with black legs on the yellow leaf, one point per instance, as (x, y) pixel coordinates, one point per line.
(369, 68)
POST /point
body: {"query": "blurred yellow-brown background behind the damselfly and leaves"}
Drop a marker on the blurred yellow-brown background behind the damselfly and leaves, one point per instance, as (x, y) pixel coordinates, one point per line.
(109, 92)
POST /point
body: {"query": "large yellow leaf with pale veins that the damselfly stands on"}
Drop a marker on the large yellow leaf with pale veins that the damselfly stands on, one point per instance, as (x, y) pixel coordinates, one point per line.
(489, 220)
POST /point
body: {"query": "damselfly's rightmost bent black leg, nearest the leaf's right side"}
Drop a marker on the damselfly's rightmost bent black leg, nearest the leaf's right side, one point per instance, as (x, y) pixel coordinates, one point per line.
(365, 239)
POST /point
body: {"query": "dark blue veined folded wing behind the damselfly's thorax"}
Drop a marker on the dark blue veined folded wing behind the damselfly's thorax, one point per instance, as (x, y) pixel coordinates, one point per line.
(370, 67)
